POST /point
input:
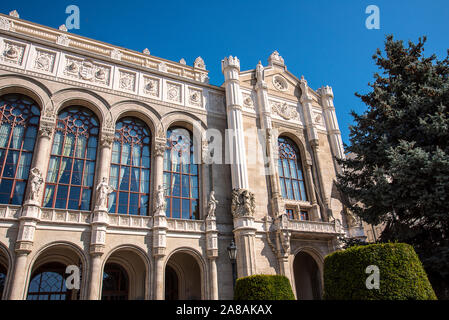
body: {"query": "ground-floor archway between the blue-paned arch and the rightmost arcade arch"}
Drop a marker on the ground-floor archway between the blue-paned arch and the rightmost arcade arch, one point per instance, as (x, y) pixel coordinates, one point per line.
(125, 275)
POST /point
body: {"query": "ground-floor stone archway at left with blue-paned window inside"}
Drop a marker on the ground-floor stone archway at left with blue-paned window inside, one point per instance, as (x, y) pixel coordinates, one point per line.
(48, 275)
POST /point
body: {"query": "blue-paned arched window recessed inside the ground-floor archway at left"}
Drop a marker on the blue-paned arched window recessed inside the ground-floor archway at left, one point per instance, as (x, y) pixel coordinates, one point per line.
(48, 283)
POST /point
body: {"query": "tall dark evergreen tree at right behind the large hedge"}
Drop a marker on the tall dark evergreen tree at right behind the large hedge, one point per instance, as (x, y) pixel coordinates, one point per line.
(399, 170)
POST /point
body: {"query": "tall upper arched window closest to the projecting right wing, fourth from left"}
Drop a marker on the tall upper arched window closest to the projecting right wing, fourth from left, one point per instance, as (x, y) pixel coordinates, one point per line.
(180, 175)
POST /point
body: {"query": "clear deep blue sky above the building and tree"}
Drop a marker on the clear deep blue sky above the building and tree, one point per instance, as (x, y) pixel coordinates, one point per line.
(324, 40)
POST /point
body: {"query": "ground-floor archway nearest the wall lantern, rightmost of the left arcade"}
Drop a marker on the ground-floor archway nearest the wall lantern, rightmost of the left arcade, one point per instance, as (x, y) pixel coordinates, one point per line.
(183, 279)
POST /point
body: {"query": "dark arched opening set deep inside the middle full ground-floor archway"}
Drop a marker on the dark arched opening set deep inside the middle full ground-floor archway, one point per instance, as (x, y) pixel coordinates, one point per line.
(115, 283)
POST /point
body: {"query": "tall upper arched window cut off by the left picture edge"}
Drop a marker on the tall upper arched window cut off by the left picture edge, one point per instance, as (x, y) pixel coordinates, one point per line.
(19, 121)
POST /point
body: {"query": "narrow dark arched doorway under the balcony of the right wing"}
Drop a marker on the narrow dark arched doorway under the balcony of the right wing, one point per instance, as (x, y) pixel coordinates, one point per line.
(307, 277)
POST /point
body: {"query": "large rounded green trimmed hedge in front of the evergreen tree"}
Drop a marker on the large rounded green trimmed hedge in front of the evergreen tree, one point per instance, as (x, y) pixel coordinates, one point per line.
(402, 276)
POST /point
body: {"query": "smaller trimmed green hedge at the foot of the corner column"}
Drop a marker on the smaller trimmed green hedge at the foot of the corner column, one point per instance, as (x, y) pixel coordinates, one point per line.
(263, 287)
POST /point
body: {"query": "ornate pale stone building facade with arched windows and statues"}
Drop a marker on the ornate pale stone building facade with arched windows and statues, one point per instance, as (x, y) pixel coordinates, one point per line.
(139, 173)
